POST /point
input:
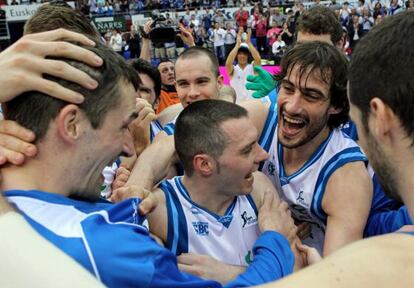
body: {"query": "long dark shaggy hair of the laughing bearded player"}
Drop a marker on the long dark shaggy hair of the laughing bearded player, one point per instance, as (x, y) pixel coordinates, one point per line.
(332, 65)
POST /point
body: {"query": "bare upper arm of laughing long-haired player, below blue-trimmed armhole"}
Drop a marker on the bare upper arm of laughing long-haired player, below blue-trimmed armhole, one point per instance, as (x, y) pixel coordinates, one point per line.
(347, 202)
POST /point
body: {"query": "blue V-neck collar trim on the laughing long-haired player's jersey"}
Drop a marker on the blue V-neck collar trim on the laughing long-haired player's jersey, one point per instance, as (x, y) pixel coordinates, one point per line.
(284, 180)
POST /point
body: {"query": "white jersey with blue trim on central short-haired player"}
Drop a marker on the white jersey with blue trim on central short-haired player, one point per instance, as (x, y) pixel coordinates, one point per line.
(194, 229)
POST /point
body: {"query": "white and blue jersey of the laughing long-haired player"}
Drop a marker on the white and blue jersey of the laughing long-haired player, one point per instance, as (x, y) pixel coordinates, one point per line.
(304, 189)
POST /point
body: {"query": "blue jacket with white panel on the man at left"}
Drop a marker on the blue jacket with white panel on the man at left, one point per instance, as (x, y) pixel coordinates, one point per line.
(110, 242)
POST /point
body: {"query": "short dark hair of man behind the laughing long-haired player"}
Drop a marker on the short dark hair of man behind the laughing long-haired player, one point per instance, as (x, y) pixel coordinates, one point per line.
(320, 20)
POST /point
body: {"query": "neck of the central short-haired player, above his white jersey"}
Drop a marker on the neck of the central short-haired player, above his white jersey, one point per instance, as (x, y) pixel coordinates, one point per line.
(202, 193)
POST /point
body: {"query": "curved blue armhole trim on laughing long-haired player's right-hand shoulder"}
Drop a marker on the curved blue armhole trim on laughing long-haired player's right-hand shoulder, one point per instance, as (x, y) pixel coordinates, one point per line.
(344, 157)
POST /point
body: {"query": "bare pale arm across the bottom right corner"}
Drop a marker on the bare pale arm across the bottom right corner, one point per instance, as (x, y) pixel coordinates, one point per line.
(376, 262)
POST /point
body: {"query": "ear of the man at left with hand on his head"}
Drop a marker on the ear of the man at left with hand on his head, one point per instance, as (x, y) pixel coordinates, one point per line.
(70, 122)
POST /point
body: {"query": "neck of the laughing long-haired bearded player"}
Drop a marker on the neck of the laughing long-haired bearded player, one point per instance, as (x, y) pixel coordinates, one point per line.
(295, 158)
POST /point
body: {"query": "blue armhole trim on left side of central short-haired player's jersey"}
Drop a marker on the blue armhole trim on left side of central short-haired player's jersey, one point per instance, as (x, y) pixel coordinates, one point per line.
(177, 235)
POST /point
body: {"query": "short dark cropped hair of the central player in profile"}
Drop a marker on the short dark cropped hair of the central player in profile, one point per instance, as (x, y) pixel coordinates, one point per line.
(197, 130)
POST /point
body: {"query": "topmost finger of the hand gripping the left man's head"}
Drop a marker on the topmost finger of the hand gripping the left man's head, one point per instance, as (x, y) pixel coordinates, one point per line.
(61, 34)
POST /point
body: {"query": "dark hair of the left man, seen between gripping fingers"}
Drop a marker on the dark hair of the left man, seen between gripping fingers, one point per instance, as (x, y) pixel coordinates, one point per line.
(34, 110)
